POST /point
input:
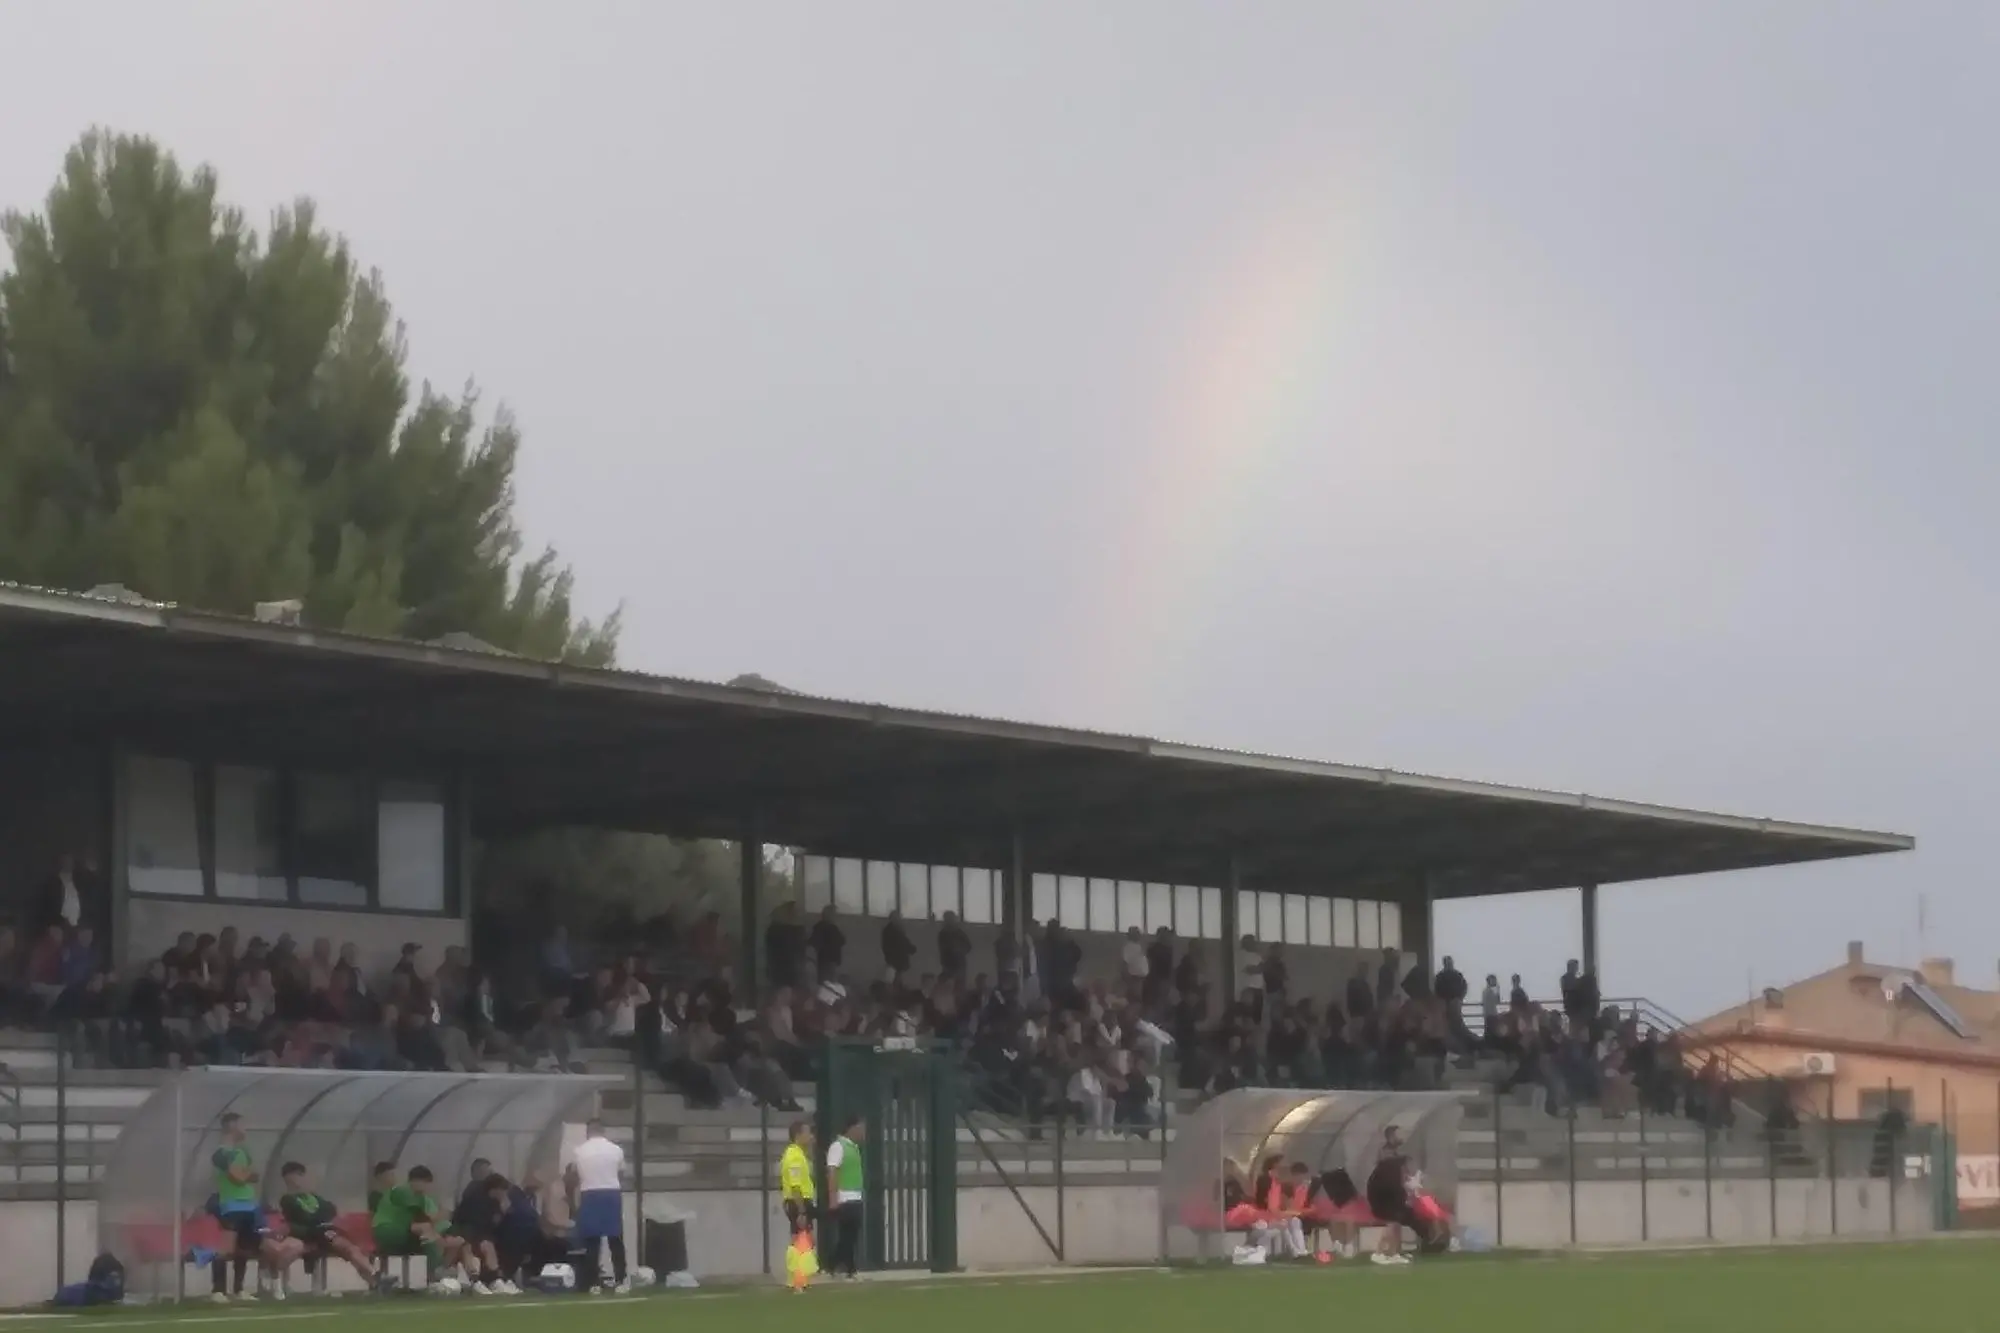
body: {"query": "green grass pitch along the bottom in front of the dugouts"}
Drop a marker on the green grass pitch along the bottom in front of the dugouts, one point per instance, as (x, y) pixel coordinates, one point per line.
(1929, 1288)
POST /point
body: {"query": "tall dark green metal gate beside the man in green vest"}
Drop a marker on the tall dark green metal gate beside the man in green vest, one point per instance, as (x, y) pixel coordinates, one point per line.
(907, 1096)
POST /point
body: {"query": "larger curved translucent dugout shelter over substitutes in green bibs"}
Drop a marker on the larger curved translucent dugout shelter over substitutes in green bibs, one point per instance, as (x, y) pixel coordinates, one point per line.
(335, 1124)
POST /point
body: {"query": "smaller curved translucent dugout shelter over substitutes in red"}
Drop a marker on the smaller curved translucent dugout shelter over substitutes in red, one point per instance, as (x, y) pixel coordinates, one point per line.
(1233, 1134)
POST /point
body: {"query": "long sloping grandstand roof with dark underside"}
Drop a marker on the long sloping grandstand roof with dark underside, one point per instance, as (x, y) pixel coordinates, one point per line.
(547, 744)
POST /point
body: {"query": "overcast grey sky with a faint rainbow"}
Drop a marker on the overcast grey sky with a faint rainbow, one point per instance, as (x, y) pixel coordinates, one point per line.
(1575, 395)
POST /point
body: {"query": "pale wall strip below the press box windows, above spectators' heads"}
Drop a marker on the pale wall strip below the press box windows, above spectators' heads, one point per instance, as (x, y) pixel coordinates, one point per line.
(155, 924)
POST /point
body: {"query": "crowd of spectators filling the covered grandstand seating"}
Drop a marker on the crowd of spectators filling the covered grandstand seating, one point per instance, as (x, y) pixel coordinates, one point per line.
(1041, 1038)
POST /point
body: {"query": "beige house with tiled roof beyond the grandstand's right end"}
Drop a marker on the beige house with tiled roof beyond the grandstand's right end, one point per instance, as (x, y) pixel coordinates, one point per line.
(1869, 1036)
